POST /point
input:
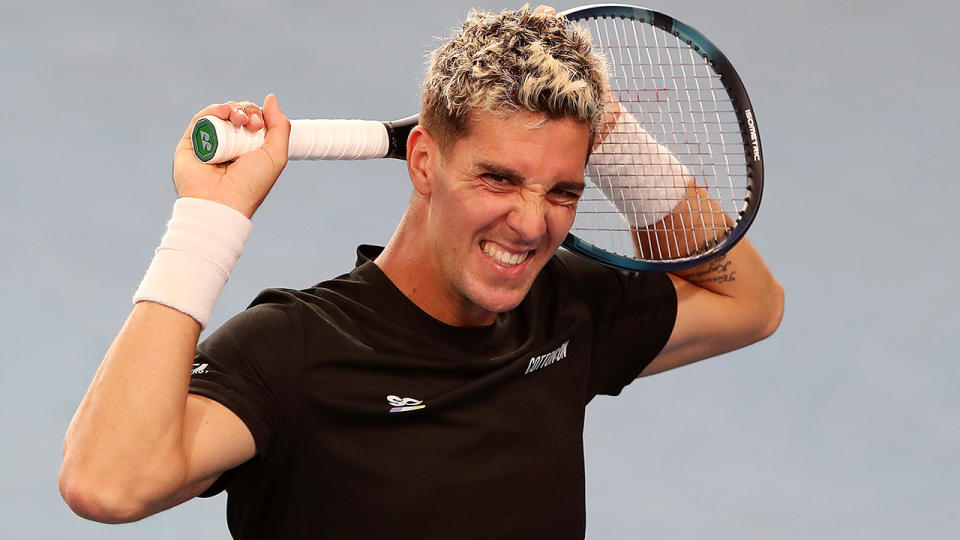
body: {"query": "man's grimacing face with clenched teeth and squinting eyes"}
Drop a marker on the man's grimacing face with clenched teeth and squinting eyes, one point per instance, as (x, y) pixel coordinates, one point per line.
(502, 199)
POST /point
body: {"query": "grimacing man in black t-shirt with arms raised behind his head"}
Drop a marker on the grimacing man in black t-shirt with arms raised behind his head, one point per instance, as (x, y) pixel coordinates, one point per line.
(436, 391)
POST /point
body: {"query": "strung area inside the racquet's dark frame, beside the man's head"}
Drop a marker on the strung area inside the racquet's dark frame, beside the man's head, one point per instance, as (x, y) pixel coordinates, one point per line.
(675, 97)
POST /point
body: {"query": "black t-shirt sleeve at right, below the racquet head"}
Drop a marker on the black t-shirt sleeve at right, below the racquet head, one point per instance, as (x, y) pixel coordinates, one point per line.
(632, 316)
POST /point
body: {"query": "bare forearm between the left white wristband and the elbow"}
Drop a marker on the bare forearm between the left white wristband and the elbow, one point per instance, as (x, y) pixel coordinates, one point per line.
(126, 436)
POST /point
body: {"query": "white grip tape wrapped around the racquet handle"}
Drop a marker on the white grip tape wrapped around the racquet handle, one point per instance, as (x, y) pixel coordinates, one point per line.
(309, 139)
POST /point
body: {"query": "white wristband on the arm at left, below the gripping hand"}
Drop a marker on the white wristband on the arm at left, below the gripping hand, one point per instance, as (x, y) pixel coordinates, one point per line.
(203, 241)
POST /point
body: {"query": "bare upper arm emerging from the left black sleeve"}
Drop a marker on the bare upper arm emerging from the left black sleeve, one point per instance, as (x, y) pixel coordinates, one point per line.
(215, 440)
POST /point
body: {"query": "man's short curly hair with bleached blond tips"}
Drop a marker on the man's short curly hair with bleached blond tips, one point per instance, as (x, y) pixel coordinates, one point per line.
(510, 62)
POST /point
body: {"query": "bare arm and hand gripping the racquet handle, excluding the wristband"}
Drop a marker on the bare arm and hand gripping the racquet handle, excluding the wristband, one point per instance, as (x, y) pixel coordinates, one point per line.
(139, 443)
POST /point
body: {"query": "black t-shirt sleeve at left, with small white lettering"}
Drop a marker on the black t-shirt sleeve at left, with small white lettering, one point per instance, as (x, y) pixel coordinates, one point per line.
(252, 365)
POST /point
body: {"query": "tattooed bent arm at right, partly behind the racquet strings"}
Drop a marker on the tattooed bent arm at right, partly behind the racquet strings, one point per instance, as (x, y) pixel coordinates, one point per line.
(724, 304)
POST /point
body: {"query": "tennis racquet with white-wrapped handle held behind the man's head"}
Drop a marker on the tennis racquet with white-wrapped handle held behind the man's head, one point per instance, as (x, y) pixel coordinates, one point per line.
(677, 176)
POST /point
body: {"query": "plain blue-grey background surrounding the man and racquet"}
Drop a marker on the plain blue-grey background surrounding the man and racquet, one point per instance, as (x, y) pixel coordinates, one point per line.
(842, 425)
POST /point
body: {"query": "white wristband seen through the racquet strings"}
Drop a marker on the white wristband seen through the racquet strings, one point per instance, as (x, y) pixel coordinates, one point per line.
(642, 178)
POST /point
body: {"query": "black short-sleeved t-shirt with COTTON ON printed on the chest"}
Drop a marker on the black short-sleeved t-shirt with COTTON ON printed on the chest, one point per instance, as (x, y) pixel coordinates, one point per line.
(374, 420)
